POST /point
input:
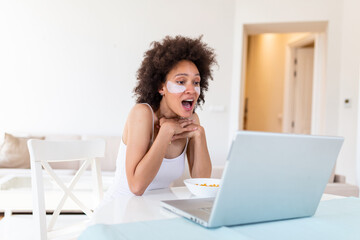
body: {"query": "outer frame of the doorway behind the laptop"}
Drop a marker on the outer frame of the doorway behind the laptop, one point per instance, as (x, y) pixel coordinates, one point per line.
(319, 29)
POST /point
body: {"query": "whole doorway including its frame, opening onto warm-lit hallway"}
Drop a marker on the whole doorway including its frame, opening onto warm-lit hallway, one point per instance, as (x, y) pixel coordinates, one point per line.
(277, 97)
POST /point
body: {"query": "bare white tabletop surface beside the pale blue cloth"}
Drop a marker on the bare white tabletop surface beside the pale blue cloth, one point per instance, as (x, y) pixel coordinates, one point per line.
(147, 207)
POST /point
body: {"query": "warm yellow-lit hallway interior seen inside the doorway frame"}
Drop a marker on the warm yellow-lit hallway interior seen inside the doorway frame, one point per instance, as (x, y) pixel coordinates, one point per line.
(265, 83)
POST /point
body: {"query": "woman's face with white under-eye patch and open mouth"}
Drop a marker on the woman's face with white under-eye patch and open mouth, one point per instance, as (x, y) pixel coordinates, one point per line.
(182, 88)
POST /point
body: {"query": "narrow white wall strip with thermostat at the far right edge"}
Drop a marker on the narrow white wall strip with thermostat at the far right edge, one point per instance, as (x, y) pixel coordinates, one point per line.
(349, 89)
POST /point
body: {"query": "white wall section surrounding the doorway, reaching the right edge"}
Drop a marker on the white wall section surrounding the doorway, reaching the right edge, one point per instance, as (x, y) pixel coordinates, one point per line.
(341, 75)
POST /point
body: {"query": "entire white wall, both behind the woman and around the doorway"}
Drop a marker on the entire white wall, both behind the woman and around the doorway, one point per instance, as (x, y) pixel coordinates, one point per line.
(69, 66)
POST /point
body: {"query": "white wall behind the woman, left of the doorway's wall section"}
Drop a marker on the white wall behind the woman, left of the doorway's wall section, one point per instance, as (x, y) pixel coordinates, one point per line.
(70, 66)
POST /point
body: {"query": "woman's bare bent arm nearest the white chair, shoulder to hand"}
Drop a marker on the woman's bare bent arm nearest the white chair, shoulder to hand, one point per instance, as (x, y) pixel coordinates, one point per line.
(142, 163)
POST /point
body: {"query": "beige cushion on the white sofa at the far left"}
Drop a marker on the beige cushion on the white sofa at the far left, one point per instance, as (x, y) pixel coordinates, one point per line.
(14, 152)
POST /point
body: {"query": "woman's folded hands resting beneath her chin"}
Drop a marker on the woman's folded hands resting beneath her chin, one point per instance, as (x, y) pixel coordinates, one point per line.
(176, 126)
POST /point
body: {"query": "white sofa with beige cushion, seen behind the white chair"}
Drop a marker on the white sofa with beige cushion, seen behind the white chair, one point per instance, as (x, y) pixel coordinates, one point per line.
(15, 172)
